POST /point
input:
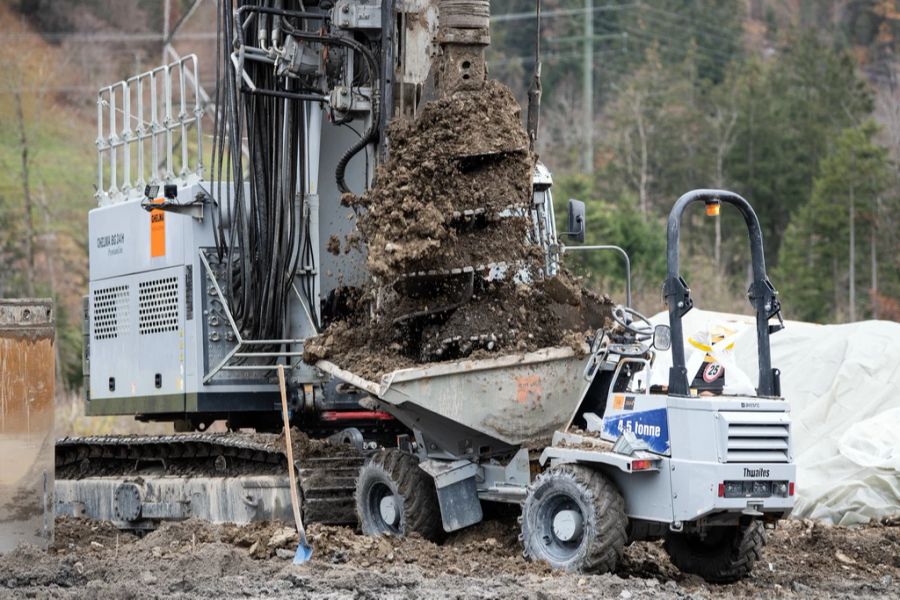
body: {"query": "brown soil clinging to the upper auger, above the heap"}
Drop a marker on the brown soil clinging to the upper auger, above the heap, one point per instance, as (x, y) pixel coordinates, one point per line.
(462, 153)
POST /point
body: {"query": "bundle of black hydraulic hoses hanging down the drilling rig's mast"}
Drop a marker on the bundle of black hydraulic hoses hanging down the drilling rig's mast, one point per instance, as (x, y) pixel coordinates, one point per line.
(264, 236)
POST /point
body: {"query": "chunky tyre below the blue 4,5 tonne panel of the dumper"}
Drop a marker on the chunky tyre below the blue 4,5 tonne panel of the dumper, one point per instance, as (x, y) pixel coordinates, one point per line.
(599, 547)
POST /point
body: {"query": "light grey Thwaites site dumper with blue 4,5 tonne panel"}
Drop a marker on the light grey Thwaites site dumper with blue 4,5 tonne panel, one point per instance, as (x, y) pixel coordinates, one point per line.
(596, 457)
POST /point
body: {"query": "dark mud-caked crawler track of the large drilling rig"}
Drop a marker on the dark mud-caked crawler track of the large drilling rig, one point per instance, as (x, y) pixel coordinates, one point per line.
(327, 484)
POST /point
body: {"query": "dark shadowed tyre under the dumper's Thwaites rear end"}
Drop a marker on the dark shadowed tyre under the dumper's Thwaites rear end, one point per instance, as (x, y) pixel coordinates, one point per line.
(726, 555)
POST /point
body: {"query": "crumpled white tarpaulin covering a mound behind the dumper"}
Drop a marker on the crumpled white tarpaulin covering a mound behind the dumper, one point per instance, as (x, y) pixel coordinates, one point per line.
(843, 384)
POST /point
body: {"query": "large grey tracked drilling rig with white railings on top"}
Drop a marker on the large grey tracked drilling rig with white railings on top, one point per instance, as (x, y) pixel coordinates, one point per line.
(209, 262)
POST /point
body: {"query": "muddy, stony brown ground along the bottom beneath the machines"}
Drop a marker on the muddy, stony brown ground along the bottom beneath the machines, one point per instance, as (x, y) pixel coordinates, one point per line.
(193, 559)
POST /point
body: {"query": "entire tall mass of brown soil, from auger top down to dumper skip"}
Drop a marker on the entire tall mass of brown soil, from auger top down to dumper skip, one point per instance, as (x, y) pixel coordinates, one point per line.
(447, 226)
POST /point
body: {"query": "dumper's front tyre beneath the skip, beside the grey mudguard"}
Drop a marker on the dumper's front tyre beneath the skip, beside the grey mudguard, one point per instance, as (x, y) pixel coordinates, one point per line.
(397, 474)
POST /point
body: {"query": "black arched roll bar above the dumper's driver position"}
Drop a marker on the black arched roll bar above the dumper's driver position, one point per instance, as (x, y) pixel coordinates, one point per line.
(762, 294)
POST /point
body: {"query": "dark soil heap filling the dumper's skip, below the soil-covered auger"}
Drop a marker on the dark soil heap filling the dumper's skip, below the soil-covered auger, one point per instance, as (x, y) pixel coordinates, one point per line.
(500, 316)
